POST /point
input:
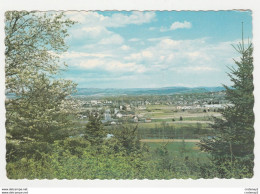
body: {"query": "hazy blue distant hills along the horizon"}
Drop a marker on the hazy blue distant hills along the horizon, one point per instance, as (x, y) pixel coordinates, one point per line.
(144, 91)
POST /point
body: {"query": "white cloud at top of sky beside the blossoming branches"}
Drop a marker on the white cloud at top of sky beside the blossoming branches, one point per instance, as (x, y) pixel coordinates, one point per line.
(92, 27)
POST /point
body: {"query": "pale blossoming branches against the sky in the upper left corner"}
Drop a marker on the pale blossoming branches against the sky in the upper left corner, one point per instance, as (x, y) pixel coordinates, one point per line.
(33, 40)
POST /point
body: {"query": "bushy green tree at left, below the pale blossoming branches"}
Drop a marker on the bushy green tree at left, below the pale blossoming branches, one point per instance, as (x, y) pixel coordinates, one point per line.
(39, 114)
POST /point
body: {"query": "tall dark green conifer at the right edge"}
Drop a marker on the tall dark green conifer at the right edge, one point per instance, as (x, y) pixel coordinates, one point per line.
(233, 143)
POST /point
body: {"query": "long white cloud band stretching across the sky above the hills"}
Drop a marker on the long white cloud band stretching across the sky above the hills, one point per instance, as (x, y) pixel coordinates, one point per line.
(166, 54)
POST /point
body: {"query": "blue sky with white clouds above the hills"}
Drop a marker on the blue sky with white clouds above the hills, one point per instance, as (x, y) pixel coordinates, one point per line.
(152, 49)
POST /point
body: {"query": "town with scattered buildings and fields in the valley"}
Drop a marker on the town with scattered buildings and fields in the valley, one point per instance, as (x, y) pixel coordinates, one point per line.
(146, 109)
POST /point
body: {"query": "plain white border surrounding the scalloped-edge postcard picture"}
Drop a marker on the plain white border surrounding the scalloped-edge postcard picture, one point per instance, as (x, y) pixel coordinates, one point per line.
(45, 5)
